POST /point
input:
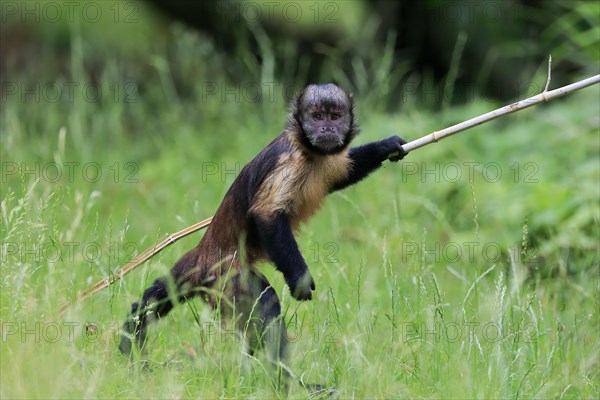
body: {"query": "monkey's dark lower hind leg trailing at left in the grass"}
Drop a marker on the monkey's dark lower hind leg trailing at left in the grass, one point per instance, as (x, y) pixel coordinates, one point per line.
(156, 303)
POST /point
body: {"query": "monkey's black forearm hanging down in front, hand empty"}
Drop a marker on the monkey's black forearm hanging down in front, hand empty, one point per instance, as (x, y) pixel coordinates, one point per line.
(278, 240)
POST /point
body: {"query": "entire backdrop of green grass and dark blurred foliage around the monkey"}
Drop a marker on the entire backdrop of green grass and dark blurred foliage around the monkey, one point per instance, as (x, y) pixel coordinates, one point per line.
(469, 270)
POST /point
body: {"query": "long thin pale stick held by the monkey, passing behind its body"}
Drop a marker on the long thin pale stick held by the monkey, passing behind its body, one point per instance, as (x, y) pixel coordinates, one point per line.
(408, 147)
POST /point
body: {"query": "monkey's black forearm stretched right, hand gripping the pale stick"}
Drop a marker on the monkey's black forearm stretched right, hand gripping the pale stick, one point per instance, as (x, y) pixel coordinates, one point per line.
(367, 158)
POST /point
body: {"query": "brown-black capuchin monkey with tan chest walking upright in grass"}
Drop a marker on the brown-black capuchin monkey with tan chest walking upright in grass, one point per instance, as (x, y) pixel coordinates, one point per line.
(277, 191)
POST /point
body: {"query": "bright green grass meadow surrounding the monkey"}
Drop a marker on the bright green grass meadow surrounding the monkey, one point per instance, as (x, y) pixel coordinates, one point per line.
(408, 303)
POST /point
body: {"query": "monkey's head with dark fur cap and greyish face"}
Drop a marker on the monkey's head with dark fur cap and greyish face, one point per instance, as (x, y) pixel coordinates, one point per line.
(323, 118)
